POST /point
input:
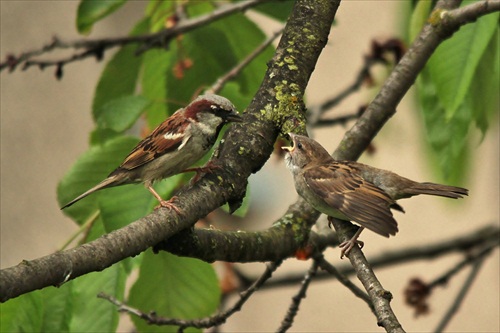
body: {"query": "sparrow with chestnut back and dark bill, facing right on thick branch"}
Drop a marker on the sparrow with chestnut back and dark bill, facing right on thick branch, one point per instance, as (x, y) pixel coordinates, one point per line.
(178, 142)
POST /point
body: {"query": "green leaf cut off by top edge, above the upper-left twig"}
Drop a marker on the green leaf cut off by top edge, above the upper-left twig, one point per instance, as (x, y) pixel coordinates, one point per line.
(91, 11)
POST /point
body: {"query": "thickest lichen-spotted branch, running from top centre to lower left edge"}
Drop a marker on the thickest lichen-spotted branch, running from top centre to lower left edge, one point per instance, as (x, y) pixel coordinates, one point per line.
(244, 151)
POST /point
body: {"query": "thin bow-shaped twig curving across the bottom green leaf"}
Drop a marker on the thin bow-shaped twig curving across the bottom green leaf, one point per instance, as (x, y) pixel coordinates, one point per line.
(218, 319)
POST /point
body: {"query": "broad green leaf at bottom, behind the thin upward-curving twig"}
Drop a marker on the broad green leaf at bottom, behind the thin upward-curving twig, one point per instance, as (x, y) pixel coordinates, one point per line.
(174, 287)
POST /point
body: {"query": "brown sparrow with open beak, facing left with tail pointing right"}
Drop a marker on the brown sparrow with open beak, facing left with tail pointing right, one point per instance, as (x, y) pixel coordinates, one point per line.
(353, 191)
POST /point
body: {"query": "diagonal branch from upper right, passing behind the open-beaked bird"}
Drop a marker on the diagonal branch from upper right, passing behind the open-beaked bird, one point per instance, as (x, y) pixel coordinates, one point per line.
(365, 129)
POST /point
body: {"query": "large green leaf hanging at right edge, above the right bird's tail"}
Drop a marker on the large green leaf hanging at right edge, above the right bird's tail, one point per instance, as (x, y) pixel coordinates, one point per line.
(459, 85)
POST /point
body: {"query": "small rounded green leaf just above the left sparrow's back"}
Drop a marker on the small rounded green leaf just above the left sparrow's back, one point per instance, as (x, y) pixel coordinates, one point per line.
(121, 113)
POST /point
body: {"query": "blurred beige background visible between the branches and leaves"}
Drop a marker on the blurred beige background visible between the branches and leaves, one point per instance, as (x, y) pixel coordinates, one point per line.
(45, 125)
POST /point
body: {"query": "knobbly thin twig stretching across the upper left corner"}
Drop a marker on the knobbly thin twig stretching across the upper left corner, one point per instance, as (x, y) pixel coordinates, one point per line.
(97, 47)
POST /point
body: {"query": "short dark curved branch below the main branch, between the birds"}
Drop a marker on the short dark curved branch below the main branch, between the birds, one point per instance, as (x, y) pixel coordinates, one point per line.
(278, 242)
